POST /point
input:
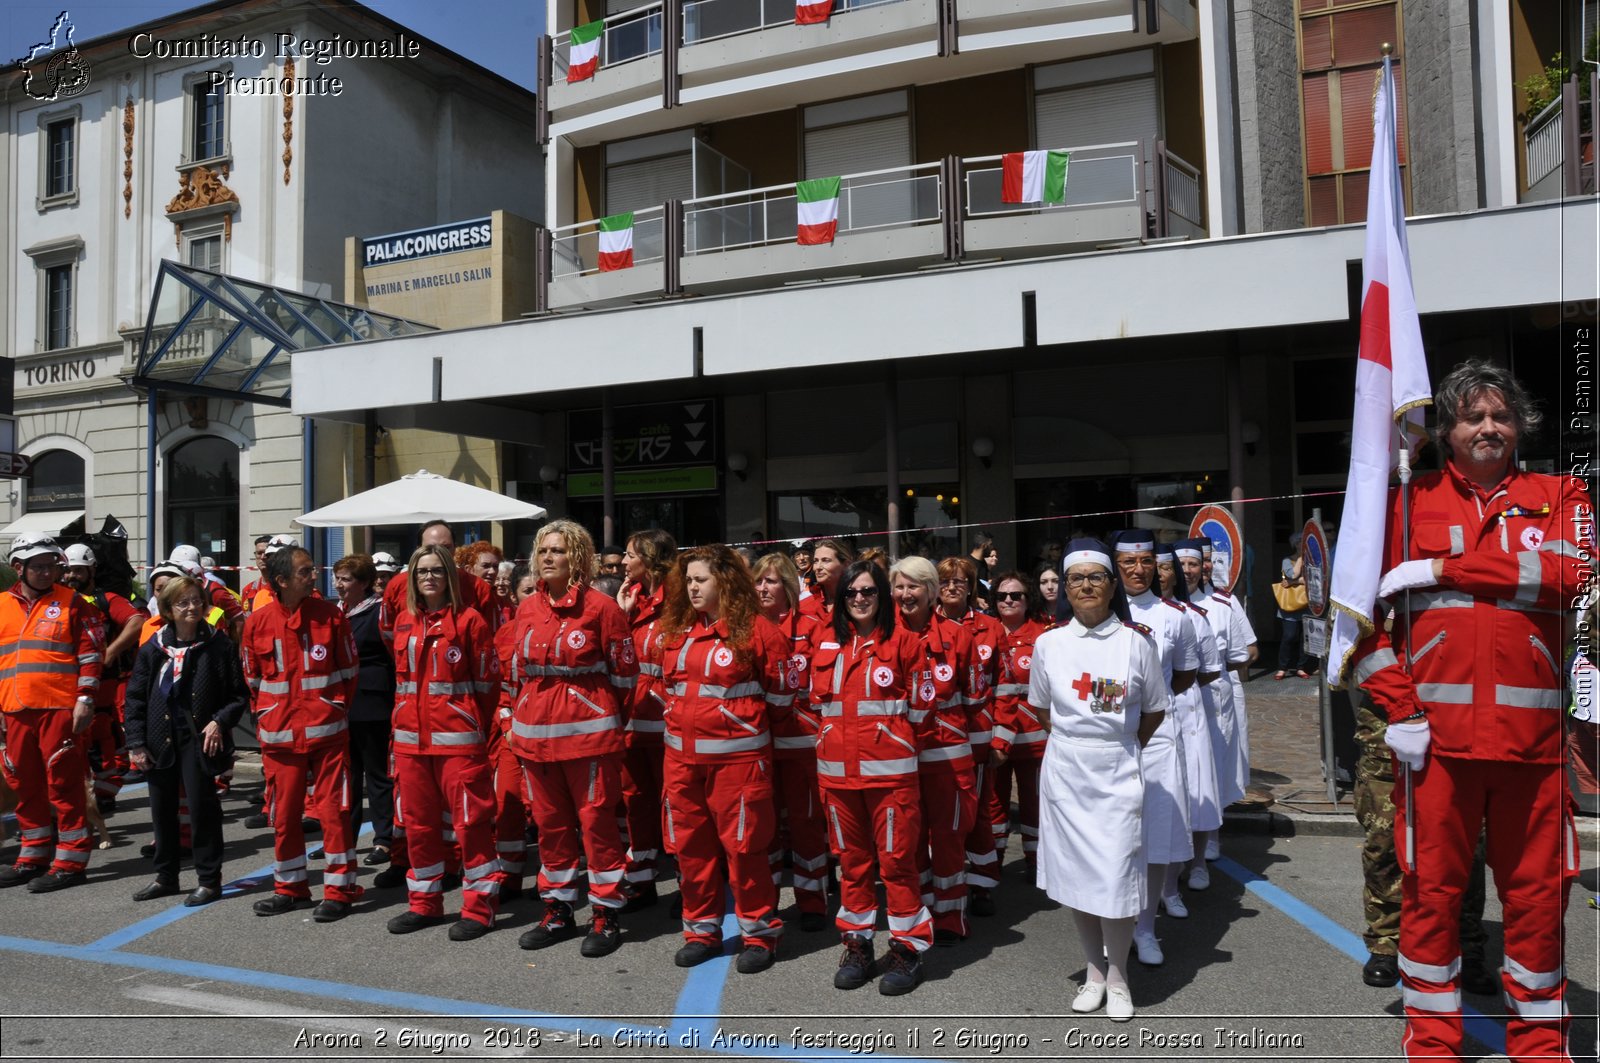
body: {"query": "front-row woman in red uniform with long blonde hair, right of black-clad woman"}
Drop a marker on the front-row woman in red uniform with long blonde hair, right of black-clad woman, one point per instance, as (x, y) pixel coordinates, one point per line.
(447, 691)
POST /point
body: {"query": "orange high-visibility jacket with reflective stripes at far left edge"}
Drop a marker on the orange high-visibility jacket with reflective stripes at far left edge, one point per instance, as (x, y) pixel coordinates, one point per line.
(49, 652)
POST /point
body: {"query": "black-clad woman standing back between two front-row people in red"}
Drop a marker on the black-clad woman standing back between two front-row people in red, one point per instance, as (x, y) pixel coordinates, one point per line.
(354, 579)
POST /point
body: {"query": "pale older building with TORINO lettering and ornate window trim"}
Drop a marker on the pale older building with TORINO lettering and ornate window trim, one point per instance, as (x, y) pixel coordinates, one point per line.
(246, 138)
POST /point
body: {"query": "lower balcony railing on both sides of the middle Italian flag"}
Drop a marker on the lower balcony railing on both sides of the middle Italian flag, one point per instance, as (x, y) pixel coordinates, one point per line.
(881, 199)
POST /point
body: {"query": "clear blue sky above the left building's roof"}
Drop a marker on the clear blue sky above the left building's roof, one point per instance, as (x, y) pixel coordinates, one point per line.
(497, 34)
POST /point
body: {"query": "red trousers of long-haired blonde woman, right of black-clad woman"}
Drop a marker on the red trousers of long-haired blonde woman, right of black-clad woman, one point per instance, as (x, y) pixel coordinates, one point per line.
(465, 785)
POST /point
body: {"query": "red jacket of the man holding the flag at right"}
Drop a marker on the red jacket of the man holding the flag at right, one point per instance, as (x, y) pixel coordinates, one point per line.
(1486, 643)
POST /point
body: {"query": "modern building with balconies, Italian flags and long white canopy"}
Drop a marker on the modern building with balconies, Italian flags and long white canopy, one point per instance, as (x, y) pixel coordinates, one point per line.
(1180, 329)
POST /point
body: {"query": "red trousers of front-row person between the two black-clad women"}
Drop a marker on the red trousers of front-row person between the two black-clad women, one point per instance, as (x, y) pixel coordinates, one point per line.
(329, 771)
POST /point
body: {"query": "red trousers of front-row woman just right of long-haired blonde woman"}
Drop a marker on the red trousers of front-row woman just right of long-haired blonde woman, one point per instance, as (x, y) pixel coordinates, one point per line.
(569, 798)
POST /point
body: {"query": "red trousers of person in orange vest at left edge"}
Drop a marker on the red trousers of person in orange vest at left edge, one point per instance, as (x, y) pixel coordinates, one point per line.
(46, 766)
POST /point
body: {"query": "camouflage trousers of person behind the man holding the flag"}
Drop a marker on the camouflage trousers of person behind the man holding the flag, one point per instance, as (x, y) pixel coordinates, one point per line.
(1375, 808)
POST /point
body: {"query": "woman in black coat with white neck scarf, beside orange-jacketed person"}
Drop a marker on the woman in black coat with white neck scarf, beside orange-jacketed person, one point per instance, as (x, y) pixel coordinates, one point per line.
(185, 697)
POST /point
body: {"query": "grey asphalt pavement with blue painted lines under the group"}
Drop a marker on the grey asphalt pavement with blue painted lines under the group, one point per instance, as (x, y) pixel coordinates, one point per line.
(1268, 966)
